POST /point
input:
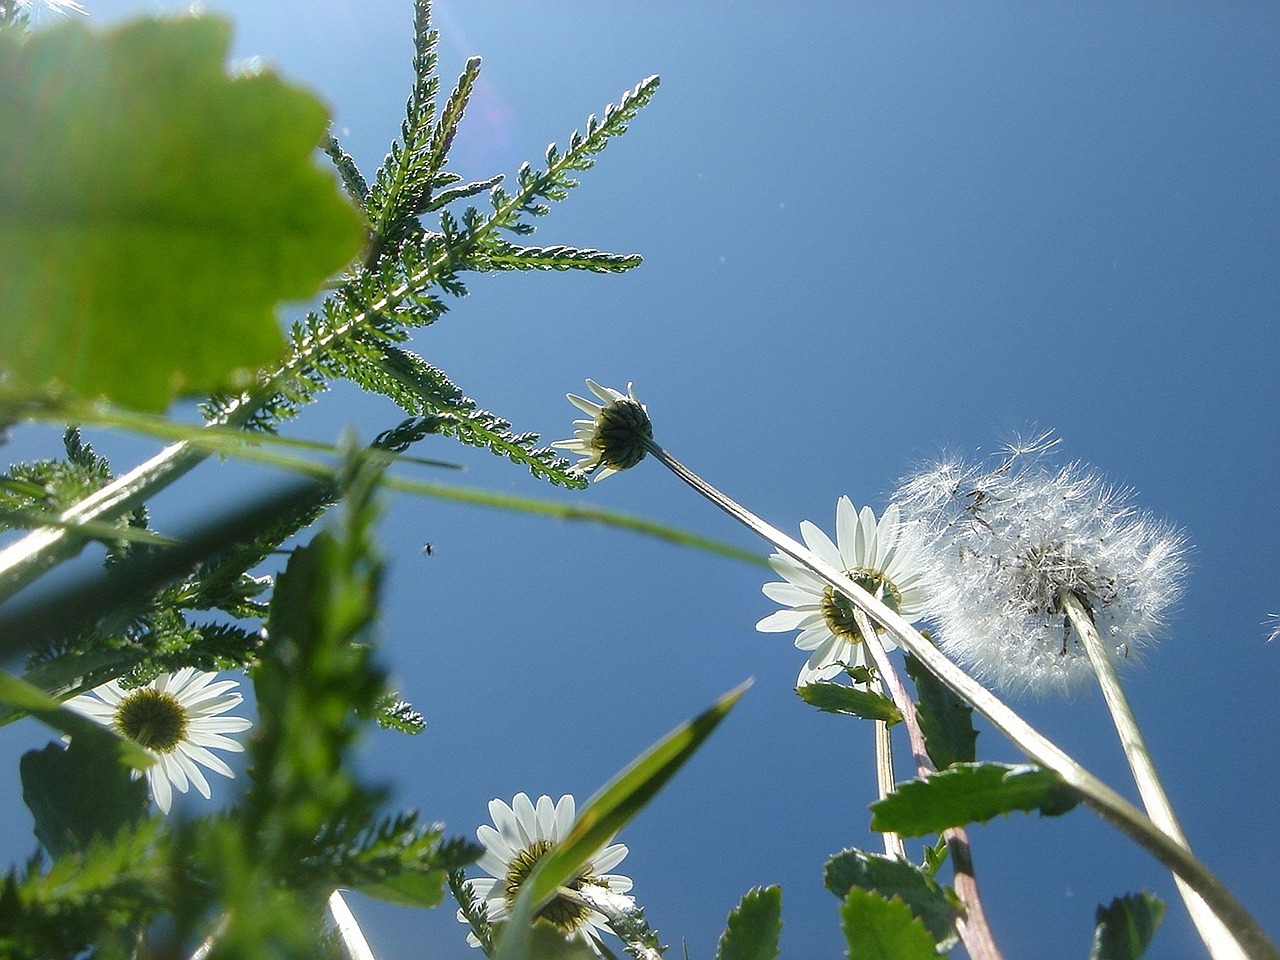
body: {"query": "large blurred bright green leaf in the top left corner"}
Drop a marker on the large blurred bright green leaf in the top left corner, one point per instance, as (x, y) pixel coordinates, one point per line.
(154, 211)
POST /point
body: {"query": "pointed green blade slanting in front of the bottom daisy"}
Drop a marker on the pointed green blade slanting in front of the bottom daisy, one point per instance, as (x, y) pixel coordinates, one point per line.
(605, 815)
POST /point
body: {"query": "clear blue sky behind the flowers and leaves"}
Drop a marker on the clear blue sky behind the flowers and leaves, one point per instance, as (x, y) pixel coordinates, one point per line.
(871, 232)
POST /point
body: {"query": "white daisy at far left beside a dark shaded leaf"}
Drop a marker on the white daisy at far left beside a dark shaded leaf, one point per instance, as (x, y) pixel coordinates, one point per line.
(177, 719)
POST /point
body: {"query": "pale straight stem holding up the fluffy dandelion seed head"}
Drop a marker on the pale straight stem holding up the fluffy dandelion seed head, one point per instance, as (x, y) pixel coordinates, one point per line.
(1219, 940)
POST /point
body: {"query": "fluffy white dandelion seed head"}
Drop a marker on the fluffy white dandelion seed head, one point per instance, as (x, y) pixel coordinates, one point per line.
(1000, 547)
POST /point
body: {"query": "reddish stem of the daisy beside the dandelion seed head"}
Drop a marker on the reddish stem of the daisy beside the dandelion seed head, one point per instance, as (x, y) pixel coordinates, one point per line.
(973, 929)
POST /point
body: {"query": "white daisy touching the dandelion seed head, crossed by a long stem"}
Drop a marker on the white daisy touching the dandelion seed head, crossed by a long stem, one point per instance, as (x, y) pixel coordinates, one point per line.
(876, 557)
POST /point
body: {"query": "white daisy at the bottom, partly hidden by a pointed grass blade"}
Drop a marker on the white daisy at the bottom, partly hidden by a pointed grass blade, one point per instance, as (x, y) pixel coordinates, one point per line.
(520, 838)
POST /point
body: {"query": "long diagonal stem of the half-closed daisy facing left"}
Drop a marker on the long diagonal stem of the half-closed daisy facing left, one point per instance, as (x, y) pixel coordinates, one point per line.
(1107, 802)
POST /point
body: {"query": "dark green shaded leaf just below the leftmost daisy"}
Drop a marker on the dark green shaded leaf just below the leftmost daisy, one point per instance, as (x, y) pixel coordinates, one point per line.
(77, 794)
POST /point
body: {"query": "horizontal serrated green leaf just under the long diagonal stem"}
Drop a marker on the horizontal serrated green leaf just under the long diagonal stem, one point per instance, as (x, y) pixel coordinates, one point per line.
(971, 793)
